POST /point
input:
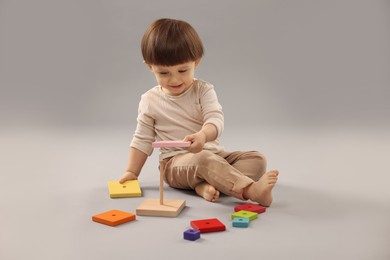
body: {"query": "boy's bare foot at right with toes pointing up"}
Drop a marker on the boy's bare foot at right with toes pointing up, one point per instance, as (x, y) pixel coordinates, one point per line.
(261, 190)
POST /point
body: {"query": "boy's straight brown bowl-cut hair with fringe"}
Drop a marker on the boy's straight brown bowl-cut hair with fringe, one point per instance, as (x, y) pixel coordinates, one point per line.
(169, 42)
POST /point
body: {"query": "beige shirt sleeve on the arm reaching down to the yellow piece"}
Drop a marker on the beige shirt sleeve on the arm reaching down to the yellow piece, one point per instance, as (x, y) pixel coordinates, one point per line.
(144, 133)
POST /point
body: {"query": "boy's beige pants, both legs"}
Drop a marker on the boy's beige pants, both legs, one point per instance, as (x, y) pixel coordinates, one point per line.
(228, 172)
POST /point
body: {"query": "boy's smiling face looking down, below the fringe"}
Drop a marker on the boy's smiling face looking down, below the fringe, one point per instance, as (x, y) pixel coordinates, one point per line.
(175, 80)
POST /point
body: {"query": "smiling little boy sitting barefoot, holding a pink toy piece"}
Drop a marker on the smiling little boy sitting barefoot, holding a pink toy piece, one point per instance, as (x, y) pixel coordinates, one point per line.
(184, 108)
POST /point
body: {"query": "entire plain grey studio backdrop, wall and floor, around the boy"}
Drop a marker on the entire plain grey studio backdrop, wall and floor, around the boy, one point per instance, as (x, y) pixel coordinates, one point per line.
(305, 82)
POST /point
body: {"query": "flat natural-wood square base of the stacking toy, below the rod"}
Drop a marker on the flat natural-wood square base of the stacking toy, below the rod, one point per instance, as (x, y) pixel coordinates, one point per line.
(152, 207)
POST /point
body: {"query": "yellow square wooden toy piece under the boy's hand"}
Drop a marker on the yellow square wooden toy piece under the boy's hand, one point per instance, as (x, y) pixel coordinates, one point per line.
(127, 189)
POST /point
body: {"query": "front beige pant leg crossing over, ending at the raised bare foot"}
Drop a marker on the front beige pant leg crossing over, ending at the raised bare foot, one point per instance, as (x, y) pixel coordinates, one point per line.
(186, 171)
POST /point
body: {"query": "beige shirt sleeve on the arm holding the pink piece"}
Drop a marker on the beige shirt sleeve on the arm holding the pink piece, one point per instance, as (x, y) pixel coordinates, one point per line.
(211, 109)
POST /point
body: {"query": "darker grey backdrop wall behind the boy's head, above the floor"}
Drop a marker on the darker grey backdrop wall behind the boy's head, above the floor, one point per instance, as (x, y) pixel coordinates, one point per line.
(313, 62)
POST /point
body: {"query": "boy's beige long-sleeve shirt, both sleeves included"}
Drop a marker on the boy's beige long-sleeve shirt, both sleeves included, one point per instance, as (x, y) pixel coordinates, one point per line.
(163, 117)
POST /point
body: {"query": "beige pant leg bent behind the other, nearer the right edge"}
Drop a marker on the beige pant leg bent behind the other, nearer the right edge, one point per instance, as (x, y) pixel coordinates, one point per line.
(250, 163)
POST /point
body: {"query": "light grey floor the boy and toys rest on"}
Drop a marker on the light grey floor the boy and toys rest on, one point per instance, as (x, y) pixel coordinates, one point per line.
(332, 200)
